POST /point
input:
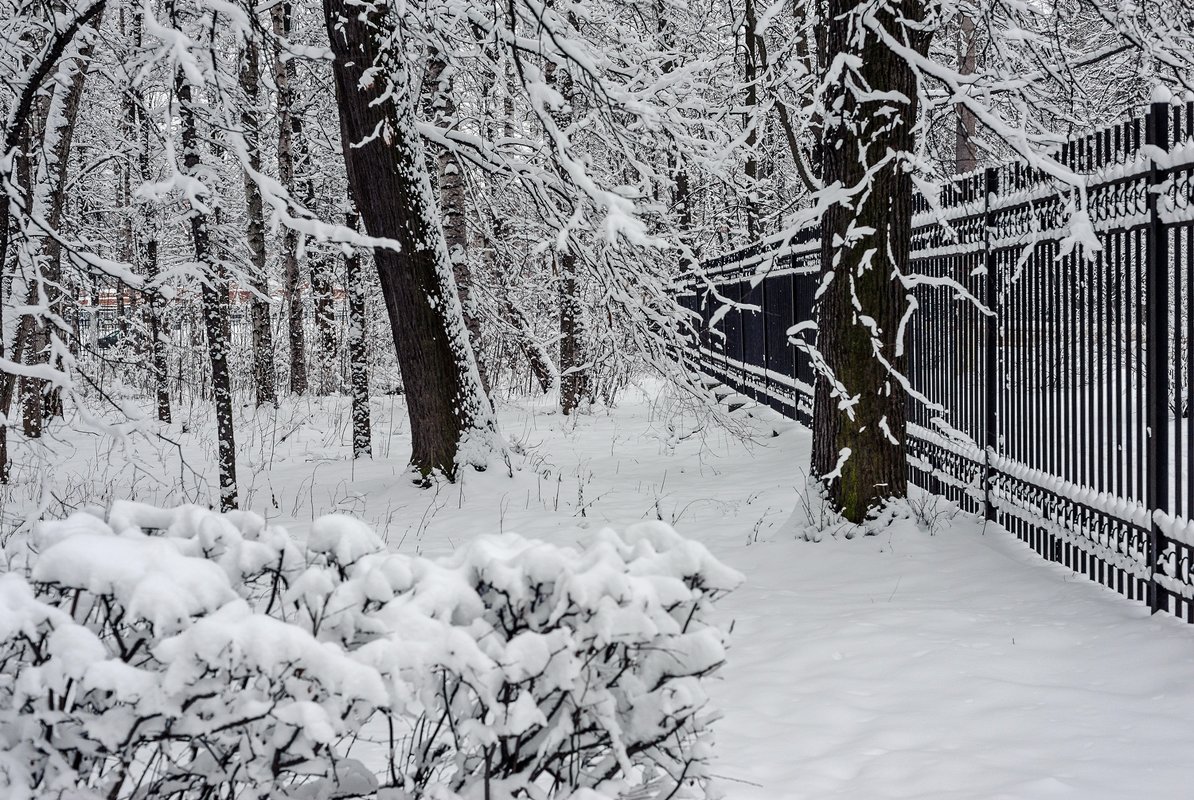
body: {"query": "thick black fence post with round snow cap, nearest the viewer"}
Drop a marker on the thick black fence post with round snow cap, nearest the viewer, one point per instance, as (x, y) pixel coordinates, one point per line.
(1158, 347)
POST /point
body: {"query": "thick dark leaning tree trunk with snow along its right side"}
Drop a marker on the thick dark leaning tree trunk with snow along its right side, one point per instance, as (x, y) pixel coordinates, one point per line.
(451, 416)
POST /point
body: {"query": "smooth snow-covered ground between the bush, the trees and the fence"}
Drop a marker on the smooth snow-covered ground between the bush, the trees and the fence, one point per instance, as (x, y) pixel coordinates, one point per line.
(939, 661)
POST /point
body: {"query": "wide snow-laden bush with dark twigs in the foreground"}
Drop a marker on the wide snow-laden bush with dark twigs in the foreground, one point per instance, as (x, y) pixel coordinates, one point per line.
(183, 654)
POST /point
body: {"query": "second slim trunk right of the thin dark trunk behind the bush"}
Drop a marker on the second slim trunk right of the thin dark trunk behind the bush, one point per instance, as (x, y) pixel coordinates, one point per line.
(290, 132)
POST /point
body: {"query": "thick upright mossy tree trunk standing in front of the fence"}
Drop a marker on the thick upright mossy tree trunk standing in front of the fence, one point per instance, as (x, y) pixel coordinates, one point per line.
(859, 423)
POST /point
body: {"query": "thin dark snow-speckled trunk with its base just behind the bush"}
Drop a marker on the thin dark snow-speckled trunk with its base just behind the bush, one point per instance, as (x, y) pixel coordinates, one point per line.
(216, 297)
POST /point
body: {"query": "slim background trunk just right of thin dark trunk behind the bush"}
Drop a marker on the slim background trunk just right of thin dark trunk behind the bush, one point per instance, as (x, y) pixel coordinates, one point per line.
(264, 379)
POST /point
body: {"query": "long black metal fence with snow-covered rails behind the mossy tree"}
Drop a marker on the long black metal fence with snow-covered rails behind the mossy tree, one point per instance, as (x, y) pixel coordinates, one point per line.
(1064, 413)
